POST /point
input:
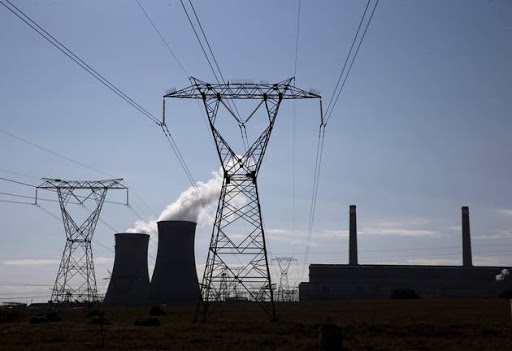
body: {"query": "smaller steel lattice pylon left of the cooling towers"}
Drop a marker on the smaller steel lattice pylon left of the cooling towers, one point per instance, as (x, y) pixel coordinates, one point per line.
(76, 280)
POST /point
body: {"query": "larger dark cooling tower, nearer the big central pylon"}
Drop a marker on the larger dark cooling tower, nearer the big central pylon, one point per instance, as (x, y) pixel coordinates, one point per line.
(175, 277)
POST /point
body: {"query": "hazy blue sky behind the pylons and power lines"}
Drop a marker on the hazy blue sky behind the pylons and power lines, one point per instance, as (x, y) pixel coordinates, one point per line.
(422, 128)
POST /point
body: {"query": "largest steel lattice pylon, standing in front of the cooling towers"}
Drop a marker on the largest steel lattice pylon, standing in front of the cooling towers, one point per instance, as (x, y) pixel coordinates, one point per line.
(237, 255)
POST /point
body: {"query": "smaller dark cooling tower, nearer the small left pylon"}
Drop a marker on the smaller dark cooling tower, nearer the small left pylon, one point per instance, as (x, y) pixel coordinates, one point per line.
(129, 283)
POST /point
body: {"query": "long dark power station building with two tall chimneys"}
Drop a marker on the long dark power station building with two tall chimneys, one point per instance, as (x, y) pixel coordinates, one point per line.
(354, 281)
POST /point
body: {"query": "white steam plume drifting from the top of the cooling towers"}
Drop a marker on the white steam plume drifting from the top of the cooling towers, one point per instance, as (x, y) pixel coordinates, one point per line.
(188, 207)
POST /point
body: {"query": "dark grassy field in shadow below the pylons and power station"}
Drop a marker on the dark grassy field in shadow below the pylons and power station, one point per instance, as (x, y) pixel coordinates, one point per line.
(367, 325)
